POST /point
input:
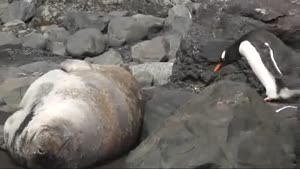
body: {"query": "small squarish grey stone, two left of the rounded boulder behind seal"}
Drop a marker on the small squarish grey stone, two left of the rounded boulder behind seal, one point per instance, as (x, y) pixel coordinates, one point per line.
(35, 40)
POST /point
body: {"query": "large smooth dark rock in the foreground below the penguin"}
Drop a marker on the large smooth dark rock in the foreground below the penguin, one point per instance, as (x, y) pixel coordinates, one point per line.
(227, 125)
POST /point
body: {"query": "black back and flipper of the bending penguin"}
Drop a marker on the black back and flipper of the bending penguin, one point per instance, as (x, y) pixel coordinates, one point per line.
(283, 55)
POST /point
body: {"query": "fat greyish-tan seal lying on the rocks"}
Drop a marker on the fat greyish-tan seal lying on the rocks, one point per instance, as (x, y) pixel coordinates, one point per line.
(75, 117)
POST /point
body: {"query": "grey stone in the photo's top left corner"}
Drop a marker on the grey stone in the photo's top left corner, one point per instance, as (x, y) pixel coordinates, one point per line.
(18, 10)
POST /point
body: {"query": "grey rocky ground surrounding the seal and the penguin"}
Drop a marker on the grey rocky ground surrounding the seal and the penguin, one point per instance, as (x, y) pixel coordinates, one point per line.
(193, 117)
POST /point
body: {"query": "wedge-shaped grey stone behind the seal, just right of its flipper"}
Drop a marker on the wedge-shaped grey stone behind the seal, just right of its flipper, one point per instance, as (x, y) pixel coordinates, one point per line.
(110, 57)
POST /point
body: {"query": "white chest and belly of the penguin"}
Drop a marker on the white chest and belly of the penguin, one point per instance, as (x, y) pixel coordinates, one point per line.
(263, 74)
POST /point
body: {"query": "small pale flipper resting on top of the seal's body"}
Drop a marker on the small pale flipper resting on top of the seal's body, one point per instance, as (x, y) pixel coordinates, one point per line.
(72, 65)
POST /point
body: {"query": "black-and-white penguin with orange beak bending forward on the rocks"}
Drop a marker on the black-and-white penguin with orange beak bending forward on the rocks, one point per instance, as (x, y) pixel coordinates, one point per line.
(274, 64)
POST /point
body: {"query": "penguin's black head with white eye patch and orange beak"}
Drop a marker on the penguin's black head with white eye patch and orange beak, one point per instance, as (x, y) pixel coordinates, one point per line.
(228, 56)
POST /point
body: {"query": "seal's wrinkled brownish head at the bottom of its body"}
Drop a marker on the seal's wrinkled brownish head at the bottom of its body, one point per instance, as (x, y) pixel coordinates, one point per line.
(47, 148)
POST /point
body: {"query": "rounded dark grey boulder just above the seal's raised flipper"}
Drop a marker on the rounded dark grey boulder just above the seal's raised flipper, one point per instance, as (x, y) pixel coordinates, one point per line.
(85, 43)
